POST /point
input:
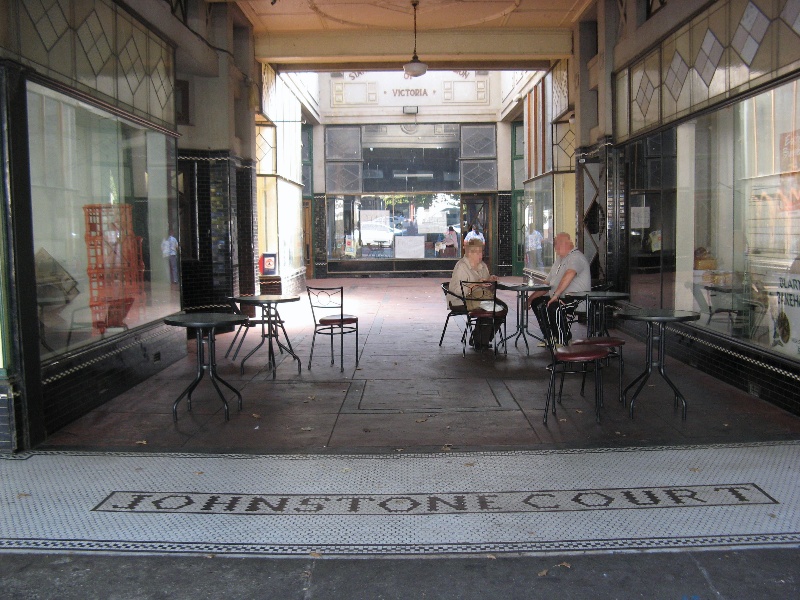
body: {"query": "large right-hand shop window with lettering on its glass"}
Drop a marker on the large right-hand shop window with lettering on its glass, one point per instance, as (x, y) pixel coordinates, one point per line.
(741, 220)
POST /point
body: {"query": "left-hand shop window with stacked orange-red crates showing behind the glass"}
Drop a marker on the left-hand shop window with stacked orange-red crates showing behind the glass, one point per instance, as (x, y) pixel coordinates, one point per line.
(104, 209)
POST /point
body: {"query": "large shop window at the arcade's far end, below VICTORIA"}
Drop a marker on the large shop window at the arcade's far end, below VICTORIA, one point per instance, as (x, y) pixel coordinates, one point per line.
(400, 200)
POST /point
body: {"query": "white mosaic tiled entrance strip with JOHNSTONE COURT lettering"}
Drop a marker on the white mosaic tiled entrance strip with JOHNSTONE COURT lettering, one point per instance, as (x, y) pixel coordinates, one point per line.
(421, 504)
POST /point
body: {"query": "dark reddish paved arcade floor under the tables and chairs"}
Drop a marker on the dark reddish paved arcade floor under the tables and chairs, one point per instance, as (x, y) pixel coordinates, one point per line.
(410, 394)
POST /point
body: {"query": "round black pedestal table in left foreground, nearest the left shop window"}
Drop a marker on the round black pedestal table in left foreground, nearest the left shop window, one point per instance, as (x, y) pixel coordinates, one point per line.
(204, 325)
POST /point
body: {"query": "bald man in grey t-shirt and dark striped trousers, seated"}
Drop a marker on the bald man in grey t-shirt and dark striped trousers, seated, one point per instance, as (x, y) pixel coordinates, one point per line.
(570, 273)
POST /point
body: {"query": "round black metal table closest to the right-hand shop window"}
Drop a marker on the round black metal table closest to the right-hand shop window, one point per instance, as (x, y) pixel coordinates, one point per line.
(656, 320)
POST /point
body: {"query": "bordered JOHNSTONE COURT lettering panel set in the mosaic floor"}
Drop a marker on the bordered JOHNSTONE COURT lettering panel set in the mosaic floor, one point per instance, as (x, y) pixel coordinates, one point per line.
(737, 494)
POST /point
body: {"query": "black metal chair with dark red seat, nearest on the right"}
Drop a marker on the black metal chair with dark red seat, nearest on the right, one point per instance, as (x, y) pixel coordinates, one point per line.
(569, 359)
